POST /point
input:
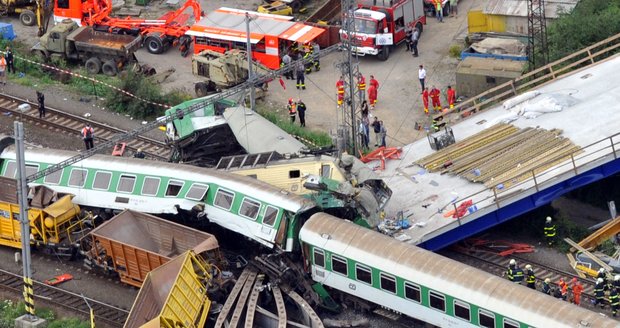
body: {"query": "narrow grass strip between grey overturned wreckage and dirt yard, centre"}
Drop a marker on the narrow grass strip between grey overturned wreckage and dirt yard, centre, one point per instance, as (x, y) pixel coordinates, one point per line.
(315, 138)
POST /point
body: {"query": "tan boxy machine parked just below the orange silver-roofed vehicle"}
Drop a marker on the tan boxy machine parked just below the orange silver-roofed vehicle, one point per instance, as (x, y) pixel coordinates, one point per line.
(222, 71)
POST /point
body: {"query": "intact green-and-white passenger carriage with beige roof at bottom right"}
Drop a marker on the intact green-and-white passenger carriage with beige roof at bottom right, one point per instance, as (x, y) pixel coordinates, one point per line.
(426, 286)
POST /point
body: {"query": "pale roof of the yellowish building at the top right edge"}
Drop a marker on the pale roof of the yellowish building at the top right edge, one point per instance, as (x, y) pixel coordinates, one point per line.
(519, 7)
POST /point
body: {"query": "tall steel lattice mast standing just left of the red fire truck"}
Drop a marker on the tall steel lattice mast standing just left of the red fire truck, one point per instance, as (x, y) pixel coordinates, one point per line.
(349, 70)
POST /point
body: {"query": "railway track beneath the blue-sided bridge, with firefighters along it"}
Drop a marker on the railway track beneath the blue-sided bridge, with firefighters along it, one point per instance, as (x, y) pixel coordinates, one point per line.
(496, 264)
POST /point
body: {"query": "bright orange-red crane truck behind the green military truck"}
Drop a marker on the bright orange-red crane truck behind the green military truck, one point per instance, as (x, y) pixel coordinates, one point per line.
(158, 34)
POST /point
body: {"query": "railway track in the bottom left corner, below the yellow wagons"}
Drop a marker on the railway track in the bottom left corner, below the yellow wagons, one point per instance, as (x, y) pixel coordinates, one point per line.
(104, 313)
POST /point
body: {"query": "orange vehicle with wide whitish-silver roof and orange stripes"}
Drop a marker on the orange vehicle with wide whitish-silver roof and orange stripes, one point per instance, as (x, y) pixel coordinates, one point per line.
(270, 35)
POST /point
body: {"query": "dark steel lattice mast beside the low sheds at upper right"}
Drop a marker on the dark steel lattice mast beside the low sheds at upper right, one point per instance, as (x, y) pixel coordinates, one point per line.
(537, 34)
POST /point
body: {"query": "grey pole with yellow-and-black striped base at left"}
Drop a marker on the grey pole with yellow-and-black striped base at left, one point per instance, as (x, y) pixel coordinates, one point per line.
(22, 195)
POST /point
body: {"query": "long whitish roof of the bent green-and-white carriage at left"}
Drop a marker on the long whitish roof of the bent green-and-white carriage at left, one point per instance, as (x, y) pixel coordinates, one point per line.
(252, 187)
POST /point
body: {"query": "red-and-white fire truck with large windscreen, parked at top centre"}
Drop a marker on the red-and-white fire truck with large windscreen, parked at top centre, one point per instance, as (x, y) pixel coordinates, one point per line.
(381, 24)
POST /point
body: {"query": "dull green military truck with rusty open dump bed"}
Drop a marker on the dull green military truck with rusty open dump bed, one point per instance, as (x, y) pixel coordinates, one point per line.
(99, 51)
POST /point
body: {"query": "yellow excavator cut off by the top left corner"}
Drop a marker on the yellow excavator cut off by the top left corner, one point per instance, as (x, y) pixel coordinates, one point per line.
(30, 12)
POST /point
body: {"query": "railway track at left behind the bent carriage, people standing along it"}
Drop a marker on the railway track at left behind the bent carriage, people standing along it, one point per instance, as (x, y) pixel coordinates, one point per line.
(57, 120)
